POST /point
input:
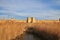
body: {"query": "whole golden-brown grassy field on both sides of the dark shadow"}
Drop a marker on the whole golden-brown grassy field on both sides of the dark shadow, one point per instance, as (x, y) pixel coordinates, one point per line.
(10, 29)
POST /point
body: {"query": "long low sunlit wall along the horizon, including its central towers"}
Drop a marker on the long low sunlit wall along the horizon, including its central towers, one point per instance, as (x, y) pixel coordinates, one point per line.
(31, 20)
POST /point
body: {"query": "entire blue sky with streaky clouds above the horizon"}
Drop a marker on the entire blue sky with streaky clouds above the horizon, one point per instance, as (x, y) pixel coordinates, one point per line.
(41, 9)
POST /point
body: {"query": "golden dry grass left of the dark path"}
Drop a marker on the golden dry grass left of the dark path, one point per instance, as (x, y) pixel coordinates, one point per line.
(10, 29)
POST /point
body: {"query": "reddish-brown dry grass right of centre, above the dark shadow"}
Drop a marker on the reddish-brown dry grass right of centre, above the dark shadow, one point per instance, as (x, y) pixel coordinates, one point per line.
(51, 27)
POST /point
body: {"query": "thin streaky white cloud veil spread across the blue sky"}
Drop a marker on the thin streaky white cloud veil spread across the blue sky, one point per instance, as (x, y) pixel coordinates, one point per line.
(30, 8)
